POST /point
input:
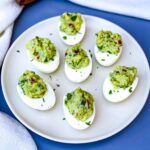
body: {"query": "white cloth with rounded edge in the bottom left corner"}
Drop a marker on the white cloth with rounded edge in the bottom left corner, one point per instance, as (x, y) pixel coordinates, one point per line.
(13, 136)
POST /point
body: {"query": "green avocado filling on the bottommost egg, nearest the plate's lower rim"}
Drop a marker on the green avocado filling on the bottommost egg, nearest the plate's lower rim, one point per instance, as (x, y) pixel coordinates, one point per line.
(80, 104)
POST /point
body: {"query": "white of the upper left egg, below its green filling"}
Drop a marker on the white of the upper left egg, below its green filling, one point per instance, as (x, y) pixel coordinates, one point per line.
(48, 67)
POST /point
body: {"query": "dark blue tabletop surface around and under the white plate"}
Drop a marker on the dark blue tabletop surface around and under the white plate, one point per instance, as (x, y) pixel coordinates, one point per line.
(137, 135)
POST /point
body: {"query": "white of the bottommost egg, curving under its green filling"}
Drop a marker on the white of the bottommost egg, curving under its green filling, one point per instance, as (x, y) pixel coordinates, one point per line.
(76, 124)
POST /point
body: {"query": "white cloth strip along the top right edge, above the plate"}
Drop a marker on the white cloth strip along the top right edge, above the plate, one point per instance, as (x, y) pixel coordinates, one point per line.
(135, 8)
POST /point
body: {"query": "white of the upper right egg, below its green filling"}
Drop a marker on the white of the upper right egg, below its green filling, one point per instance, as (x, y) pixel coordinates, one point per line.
(106, 59)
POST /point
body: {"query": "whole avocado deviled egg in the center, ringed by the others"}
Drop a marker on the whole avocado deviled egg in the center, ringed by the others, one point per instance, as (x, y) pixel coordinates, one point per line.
(78, 64)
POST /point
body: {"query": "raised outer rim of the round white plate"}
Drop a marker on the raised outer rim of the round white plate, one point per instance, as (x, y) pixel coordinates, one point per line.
(110, 134)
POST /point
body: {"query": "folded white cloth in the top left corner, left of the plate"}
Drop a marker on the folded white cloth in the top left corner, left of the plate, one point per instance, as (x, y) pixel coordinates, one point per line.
(9, 11)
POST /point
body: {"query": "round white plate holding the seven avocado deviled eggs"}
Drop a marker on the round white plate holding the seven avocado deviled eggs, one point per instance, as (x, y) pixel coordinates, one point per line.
(110, 118)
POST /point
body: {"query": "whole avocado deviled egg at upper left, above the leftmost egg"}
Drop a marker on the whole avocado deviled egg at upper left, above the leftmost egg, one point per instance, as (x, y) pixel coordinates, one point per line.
(43, 54)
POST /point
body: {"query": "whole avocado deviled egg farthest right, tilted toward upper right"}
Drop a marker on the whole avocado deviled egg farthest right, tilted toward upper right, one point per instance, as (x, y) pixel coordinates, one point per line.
(120, 83)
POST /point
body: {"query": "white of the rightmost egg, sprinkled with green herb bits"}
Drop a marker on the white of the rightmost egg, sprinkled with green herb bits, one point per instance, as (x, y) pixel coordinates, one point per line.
(119, 94)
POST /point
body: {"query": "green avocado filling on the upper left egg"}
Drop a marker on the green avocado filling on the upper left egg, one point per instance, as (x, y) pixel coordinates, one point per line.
(41, 49)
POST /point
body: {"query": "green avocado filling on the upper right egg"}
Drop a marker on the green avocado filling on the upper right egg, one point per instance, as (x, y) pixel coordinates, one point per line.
(108, 42)
